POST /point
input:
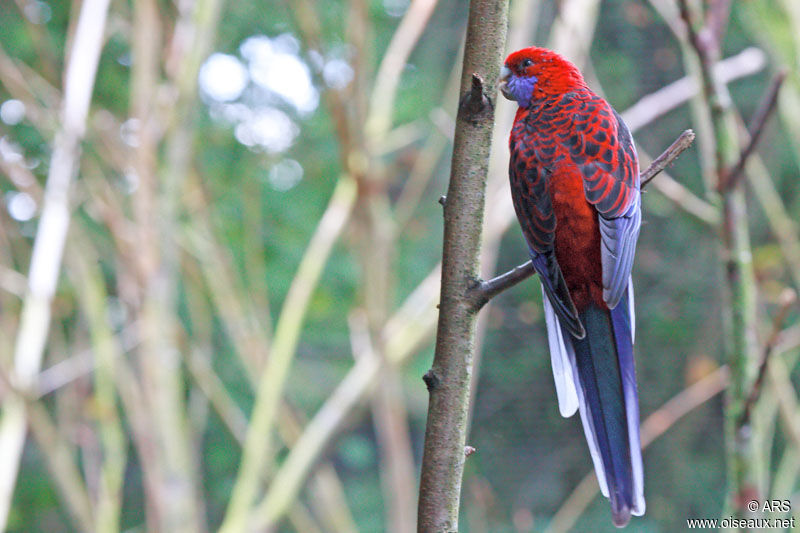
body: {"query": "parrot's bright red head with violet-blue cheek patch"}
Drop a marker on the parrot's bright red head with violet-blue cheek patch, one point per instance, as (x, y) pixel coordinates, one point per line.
(535, 73)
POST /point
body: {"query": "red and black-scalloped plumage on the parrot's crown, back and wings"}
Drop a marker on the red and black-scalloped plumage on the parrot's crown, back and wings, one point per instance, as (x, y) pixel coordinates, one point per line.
(575, 135)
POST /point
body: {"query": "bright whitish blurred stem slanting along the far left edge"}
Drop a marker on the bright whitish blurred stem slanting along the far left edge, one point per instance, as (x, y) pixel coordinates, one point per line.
(50, 237)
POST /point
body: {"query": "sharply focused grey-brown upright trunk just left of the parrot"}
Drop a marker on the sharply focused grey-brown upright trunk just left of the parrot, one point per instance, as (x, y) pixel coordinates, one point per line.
(445, 435)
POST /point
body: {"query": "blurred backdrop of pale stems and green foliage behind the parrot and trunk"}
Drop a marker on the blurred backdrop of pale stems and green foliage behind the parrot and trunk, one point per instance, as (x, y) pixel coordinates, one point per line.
(245, 303)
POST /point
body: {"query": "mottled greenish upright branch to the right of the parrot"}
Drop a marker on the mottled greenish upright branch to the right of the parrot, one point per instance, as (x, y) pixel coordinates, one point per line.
(740, 319)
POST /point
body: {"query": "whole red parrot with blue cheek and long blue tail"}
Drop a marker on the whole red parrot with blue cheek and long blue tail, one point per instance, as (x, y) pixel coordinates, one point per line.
(574, 178)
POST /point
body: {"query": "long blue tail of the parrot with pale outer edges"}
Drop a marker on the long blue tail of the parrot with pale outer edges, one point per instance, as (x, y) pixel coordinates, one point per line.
(602, 368)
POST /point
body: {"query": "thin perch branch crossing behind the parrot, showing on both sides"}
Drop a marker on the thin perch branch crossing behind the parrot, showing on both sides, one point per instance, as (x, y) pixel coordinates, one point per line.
(483, 291)
